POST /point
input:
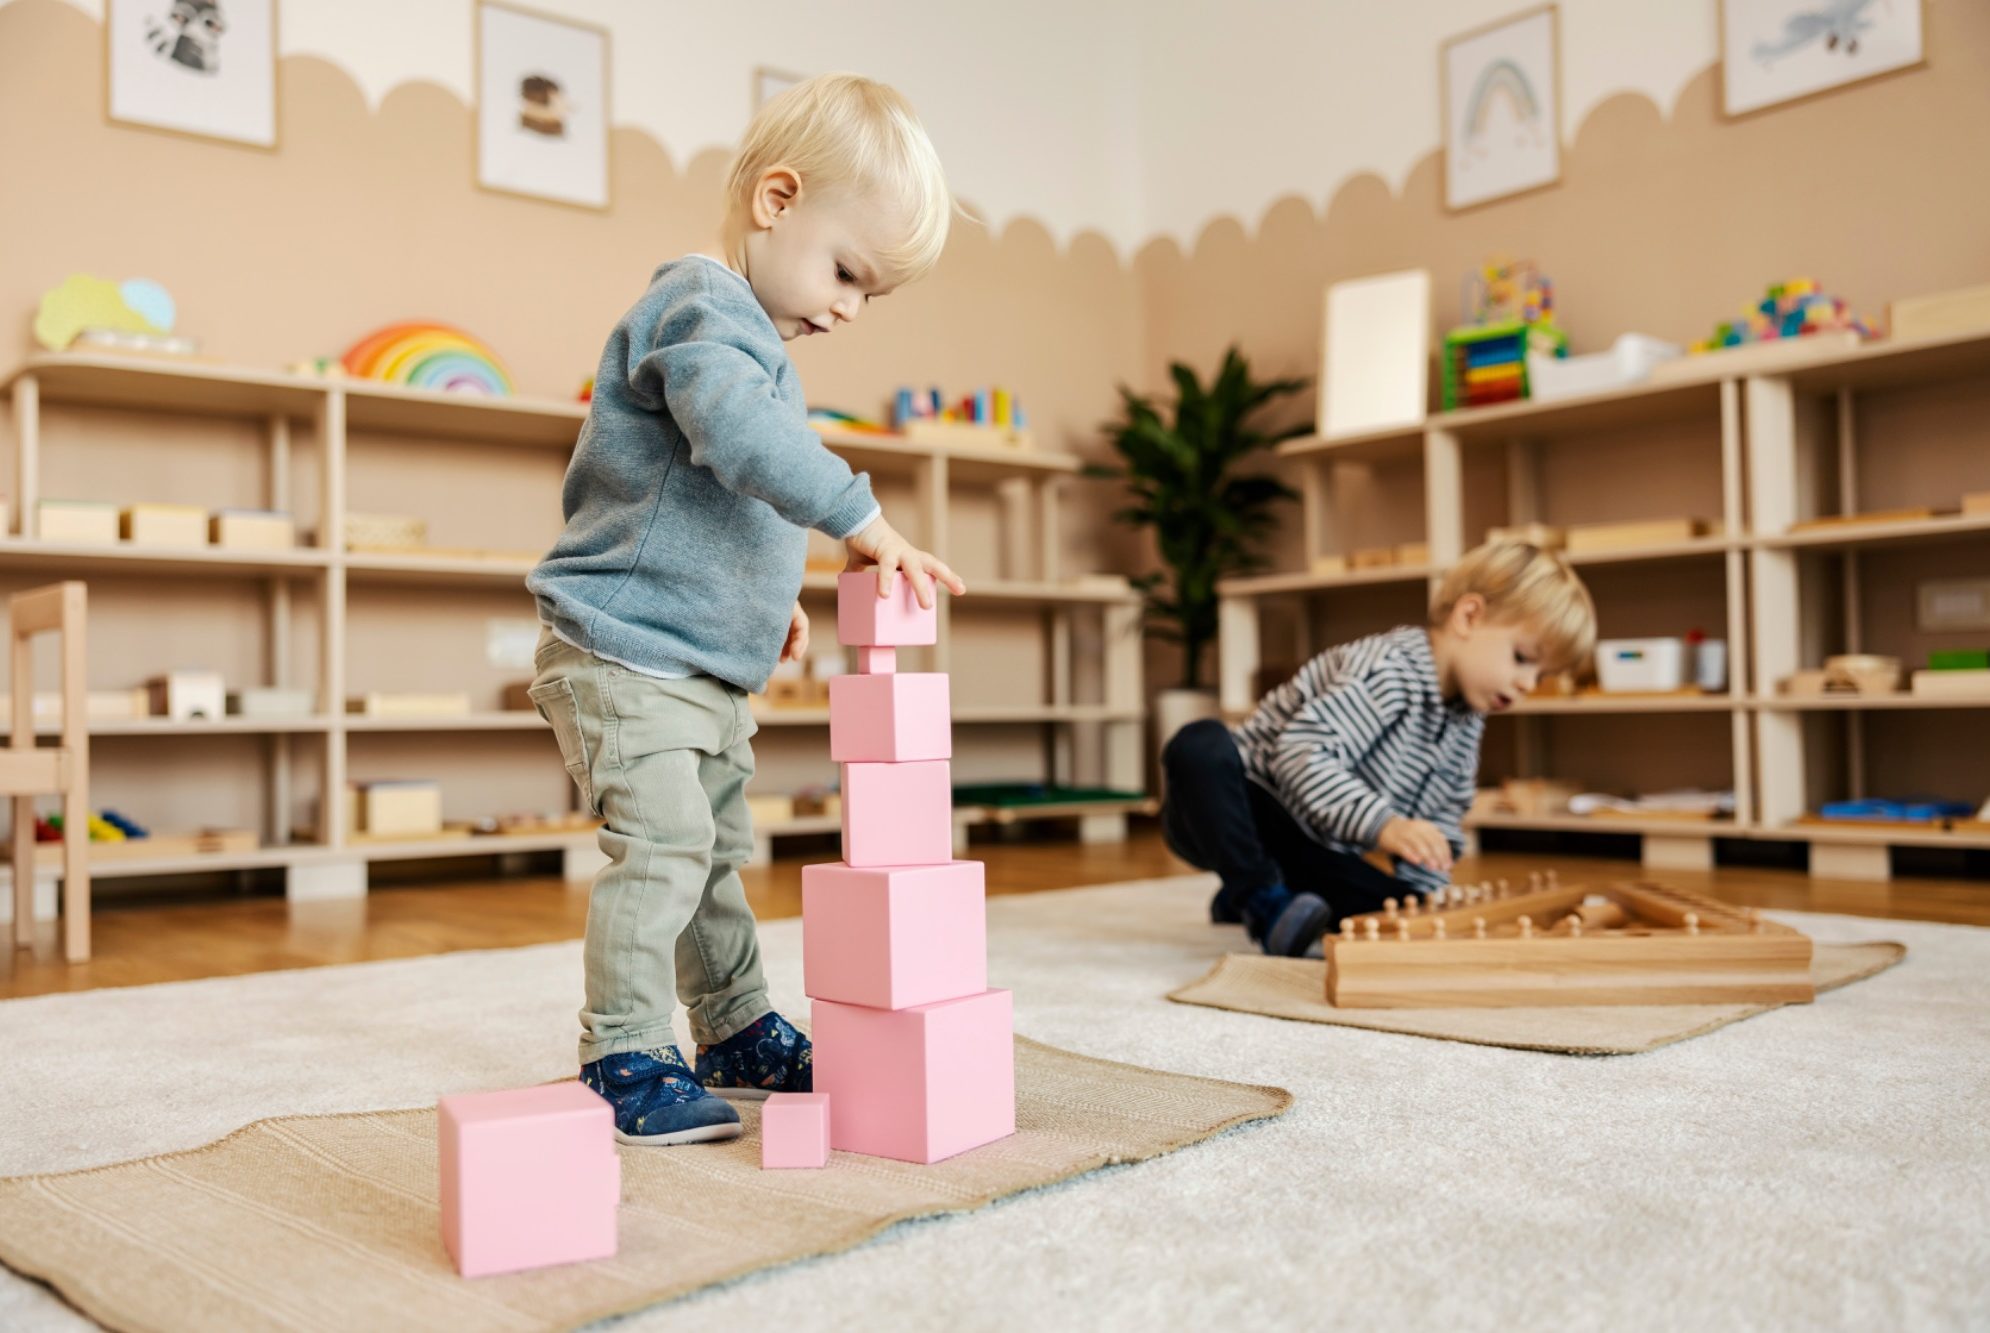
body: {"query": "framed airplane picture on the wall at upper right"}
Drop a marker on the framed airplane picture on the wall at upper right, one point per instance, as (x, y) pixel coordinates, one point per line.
(1780, 51)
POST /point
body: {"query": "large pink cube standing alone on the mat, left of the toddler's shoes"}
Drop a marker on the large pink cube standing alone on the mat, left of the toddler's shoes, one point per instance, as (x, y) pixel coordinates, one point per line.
(528, 1179)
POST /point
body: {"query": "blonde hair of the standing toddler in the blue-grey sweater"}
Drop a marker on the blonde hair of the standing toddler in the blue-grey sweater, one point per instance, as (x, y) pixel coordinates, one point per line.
(849, 134)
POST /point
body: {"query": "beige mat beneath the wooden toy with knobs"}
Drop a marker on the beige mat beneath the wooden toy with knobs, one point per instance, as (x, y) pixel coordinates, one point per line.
(1296, 990)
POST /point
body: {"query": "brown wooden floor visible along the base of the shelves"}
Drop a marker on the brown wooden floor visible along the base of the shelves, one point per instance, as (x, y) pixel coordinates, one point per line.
(142, 942)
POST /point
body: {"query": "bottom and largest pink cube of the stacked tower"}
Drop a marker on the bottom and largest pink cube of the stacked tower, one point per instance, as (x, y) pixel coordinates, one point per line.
(918, 1085)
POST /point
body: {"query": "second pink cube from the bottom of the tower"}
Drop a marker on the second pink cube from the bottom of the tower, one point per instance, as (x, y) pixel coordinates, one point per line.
(895, 938)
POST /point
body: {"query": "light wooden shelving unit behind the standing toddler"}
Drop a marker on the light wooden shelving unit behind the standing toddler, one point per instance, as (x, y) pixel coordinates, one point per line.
(1090, 721)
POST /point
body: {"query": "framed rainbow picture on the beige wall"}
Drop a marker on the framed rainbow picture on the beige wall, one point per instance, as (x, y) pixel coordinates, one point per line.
(1501, 93)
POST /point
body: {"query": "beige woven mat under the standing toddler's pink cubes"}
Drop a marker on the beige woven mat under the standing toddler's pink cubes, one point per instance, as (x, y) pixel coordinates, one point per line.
(329, 1223)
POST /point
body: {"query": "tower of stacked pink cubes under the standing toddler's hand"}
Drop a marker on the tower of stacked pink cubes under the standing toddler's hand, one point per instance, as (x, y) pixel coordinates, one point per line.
(912, 1047)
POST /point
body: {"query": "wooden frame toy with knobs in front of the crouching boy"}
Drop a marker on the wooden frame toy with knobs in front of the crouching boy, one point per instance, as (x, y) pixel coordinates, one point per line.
(1549, 946)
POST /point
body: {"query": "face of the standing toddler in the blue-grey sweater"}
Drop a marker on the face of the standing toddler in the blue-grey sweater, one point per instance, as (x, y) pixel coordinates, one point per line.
(817, 264)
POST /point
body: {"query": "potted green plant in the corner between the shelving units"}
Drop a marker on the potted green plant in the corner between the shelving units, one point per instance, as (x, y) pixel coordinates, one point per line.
(1209, 518)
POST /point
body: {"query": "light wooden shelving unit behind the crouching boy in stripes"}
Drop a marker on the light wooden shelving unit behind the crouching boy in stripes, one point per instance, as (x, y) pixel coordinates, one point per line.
(1788, 451)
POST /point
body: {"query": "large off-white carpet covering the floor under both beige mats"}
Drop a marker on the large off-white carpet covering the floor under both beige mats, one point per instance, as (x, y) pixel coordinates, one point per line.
(1818, 1167)
